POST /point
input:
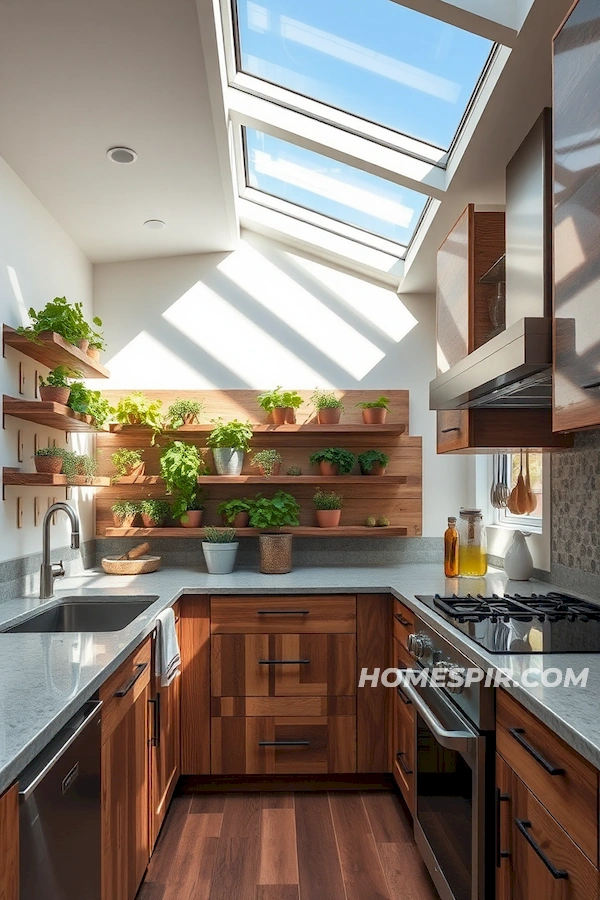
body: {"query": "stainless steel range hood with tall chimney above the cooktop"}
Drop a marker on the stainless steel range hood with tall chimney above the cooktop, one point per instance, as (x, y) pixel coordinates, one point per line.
(514, 368)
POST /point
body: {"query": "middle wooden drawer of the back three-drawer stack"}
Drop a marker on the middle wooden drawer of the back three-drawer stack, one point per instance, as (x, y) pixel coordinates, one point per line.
(279, 665)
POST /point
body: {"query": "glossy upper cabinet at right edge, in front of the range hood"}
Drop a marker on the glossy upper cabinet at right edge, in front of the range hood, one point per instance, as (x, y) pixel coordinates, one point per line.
(577, 219)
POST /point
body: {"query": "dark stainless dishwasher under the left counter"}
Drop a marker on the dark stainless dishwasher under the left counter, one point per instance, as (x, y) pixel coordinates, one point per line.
(60, 810)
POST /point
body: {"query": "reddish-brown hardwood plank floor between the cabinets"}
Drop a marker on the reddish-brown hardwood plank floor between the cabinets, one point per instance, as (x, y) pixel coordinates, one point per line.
(300, 846)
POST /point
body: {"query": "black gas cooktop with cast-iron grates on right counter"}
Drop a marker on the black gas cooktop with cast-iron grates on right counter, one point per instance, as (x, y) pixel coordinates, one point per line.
(511, 623)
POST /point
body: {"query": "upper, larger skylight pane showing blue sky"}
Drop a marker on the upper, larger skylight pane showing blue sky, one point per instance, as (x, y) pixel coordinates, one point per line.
(372, 58)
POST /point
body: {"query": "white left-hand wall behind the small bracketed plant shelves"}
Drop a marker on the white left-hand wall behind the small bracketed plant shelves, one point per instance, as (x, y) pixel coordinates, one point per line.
(38, 261)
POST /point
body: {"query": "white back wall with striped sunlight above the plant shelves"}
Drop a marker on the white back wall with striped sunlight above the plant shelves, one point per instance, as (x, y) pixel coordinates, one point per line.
(264, 315)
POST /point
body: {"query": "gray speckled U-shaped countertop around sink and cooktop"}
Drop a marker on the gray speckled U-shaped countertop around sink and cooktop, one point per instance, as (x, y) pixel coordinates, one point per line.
(44, 678)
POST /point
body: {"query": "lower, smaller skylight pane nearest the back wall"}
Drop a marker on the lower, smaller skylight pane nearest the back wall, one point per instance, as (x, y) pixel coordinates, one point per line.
(333, 189)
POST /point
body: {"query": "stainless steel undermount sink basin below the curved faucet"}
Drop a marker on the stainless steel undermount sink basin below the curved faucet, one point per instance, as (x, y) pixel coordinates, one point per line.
(89, 614)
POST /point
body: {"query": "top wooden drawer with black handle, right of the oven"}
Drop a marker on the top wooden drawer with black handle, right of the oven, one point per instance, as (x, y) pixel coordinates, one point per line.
(565, 783)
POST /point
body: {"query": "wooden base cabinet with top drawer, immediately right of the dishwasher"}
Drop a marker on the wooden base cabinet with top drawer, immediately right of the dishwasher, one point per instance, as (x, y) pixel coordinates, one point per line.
(125, 784)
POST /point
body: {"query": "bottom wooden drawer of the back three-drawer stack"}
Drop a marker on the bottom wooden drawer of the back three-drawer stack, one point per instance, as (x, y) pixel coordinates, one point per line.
(283, 745)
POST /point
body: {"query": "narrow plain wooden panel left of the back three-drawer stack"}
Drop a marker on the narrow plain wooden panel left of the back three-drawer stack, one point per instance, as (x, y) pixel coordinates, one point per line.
(195, 685)
